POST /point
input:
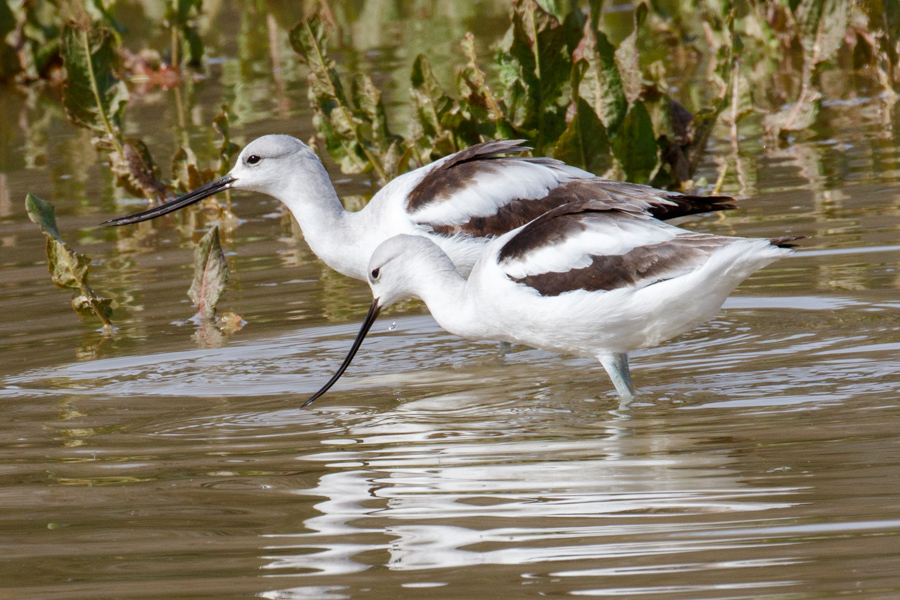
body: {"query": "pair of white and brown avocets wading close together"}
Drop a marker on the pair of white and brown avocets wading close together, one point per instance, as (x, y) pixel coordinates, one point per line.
(512, 248)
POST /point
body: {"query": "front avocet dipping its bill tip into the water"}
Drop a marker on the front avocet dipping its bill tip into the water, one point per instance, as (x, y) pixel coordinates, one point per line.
(592, 278)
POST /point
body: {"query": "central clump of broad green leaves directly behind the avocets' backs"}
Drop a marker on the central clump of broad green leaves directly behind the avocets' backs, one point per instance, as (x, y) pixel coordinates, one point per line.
(563, 87)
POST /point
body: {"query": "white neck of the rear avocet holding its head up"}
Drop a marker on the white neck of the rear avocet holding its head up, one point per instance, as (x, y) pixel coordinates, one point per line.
(335, 235)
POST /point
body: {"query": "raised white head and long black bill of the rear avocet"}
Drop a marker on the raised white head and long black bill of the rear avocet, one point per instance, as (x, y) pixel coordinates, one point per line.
(261, 167)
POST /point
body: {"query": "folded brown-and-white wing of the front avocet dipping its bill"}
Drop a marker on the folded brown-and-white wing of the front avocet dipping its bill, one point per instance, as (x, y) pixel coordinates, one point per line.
(597, 246)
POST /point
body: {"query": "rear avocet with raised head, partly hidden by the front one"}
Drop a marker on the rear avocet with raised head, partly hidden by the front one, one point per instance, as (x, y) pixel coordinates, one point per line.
(460, 202)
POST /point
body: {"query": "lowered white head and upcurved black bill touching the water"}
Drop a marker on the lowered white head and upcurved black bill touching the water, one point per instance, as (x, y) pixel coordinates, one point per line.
(393, 269)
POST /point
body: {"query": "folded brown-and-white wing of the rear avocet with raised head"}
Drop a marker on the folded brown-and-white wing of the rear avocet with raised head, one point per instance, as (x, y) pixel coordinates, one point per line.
(483, 192)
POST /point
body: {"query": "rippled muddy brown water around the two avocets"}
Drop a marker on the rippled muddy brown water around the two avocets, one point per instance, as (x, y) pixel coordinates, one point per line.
(761, 460)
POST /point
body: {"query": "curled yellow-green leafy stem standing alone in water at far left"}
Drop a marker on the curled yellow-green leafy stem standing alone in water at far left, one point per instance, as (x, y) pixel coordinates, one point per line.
(68, 269)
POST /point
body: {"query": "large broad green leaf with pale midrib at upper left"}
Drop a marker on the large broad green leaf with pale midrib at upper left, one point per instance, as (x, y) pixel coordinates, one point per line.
(92, 96)
